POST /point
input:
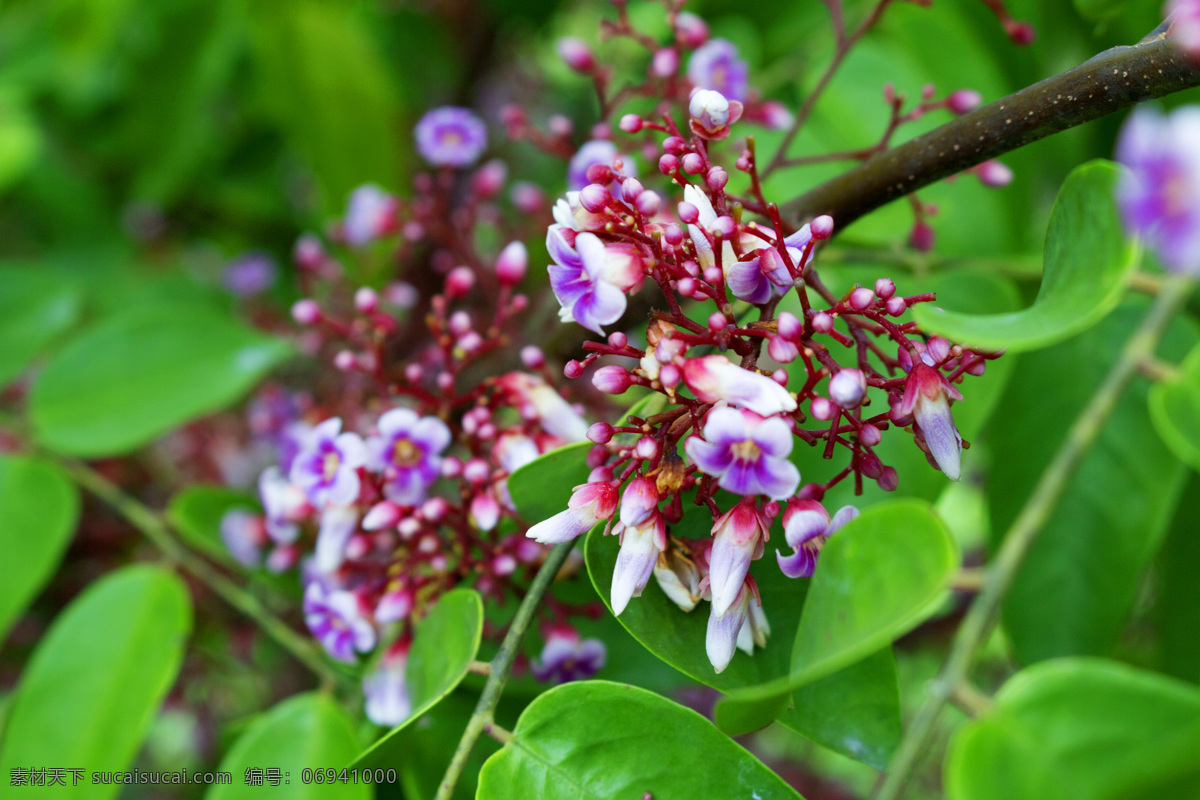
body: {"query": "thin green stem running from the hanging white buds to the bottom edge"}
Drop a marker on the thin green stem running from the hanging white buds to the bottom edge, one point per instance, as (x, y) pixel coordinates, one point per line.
(502, 666)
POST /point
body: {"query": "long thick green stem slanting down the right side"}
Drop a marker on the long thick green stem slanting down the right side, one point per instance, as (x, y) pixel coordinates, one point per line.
(981, 618)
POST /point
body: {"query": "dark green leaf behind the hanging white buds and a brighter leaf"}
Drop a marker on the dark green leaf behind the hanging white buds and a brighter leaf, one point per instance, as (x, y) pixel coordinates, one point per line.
(867, 731)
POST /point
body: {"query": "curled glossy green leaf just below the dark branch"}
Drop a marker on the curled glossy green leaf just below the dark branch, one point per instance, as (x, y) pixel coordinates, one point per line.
(1088, 263)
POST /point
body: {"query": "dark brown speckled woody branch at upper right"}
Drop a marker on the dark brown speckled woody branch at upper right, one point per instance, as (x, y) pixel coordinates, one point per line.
(1114, 80)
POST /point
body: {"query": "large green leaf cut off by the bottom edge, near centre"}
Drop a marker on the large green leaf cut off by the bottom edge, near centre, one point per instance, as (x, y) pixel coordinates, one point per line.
(603, 741)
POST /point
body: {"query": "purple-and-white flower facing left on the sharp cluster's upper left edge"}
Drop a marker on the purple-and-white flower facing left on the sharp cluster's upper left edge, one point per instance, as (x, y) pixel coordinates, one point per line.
(592, 279)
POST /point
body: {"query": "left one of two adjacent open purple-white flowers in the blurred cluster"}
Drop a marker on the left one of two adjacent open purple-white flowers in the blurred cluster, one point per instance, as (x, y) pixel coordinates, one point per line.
(326, 466)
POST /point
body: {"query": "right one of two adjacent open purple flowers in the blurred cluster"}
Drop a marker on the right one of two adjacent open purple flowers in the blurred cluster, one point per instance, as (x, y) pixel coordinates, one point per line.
(409, 454)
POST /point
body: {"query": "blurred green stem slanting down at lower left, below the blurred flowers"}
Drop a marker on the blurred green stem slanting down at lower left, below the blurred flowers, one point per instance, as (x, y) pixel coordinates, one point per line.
(155, 530)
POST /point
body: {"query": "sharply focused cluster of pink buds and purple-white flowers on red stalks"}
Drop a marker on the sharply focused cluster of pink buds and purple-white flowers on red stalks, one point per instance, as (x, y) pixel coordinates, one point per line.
(751, 354)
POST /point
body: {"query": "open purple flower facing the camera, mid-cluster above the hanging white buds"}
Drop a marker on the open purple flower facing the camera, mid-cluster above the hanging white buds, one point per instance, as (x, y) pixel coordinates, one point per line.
(747, 454)
